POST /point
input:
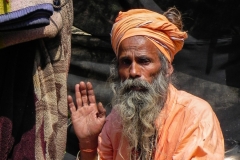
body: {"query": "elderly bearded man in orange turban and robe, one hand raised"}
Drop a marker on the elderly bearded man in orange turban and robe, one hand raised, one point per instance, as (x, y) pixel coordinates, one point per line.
(150, 118)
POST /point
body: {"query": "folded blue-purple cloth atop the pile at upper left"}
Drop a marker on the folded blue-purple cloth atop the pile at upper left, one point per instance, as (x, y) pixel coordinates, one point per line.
(29, 17)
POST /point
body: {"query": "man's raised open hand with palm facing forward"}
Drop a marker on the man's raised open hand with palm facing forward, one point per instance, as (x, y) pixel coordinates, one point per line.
(87, 117)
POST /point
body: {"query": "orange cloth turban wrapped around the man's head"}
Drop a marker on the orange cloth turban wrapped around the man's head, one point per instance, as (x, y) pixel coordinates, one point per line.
(156, 27)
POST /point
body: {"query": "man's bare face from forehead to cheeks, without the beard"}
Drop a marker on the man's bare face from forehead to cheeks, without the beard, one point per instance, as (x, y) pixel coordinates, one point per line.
(138, 58)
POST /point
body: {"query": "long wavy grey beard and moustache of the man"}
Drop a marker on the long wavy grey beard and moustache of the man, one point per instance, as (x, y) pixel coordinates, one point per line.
(139, 109)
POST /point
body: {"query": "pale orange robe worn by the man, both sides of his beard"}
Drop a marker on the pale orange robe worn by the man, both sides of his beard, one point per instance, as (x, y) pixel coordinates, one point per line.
(189, 129)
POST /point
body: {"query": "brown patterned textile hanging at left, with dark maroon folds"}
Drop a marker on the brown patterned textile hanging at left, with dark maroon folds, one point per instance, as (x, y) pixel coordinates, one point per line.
(33, 106)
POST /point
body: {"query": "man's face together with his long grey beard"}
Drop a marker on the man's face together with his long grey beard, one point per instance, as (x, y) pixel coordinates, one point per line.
(142, 91)
